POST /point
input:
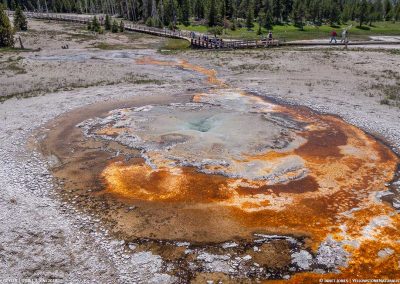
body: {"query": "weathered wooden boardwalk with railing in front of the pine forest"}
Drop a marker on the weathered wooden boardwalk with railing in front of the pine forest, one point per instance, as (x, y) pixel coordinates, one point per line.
(196, 40)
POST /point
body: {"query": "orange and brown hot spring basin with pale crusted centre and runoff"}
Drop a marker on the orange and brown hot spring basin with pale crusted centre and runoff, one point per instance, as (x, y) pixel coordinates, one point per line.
(228, 185)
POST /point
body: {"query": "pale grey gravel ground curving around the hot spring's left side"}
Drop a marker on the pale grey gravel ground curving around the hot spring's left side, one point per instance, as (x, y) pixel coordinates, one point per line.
(41, 238)
